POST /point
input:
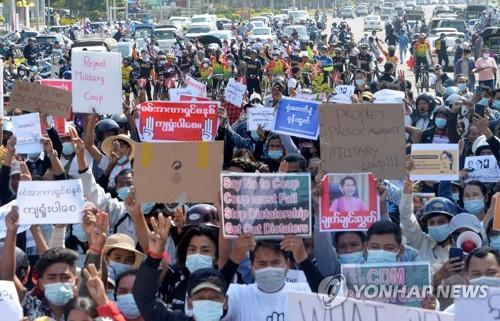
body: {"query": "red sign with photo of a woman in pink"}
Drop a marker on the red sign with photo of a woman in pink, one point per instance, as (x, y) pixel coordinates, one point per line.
(349, 202)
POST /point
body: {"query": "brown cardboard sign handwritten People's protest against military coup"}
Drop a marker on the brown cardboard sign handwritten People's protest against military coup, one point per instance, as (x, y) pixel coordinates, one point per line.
(360, 138)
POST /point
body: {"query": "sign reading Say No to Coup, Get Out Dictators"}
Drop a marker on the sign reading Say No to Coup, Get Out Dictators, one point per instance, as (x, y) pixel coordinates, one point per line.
(266, 205)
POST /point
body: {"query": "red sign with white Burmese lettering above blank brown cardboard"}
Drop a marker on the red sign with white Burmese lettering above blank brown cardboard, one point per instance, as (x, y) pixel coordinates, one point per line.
(178, 121)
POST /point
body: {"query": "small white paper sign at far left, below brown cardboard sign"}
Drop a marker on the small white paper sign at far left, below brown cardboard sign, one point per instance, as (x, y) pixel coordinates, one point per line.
(28, 133)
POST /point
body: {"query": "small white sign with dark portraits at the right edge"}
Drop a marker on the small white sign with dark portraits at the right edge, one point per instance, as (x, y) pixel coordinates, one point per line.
(482, 168)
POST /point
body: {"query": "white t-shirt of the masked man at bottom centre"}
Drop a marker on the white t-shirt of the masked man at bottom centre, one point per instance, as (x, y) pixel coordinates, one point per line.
(247, 302)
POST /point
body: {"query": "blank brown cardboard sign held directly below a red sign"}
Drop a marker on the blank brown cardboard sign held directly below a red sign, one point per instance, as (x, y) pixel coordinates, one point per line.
(170, 172)
